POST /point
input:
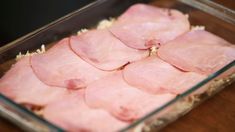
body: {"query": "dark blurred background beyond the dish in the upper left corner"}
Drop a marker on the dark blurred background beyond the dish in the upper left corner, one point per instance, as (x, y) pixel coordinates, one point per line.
(19, 17)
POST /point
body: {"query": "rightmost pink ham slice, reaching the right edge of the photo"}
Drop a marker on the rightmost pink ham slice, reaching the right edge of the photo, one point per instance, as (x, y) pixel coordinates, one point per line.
(198, 51)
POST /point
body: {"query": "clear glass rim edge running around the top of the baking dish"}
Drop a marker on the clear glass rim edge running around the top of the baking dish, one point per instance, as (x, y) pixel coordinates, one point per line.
(227, 15)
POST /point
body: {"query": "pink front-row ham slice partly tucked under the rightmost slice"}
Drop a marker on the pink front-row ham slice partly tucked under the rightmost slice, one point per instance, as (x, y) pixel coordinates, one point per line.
(156, 76)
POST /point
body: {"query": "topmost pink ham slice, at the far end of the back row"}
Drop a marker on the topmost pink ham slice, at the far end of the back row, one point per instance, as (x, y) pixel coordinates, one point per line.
(143, 26)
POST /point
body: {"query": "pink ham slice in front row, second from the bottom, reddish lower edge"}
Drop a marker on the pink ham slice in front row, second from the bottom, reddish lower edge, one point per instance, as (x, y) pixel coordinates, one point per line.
(122, 100)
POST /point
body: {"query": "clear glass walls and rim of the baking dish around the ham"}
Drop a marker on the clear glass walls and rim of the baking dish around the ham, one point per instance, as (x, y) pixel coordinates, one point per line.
(216, 18)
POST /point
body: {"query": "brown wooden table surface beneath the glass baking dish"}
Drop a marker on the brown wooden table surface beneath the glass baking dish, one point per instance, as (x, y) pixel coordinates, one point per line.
(214, 115)
